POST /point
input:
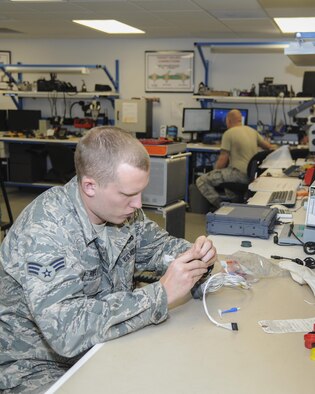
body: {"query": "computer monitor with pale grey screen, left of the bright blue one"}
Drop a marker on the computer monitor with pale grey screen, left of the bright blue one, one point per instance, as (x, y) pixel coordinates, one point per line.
(196, 121)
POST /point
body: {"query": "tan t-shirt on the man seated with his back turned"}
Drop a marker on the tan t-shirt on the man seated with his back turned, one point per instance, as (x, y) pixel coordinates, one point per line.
(242, 143)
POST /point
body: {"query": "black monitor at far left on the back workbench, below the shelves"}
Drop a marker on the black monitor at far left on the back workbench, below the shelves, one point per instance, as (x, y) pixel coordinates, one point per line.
(23, 120)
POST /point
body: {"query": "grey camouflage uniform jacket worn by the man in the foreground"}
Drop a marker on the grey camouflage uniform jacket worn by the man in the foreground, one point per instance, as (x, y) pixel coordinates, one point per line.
(63, 288)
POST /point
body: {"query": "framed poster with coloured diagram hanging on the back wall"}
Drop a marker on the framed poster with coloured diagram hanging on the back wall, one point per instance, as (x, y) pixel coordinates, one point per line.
(169, 71)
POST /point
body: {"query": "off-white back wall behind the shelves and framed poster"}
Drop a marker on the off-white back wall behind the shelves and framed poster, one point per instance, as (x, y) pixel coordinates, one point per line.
(227, 71)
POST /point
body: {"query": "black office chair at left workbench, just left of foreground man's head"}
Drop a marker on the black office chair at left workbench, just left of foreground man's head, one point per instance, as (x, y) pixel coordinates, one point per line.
(62, 161)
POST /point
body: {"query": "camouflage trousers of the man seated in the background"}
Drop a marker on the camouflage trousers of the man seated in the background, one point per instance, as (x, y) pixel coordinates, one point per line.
(208, 182)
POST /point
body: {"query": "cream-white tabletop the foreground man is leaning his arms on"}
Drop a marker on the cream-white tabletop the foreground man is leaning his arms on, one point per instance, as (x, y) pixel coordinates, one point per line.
(189, 354)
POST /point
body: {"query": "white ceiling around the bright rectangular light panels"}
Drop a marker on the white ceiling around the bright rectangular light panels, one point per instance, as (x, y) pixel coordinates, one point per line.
(209, 19)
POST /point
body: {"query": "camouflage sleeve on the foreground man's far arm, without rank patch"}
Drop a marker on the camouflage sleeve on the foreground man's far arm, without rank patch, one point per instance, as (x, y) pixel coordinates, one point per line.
(156, 248)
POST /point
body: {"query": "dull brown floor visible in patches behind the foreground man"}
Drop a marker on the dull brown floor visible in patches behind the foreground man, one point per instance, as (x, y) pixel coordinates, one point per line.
(19, 198)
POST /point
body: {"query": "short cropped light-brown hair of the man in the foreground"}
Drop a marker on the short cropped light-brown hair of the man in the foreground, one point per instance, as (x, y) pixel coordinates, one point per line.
(99, 153)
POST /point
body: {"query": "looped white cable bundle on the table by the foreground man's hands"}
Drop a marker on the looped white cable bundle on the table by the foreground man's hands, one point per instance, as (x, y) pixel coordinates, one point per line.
(214, 283)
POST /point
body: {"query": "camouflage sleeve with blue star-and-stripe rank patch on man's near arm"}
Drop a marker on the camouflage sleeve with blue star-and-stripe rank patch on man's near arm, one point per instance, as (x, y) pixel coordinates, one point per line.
(65, 305)
